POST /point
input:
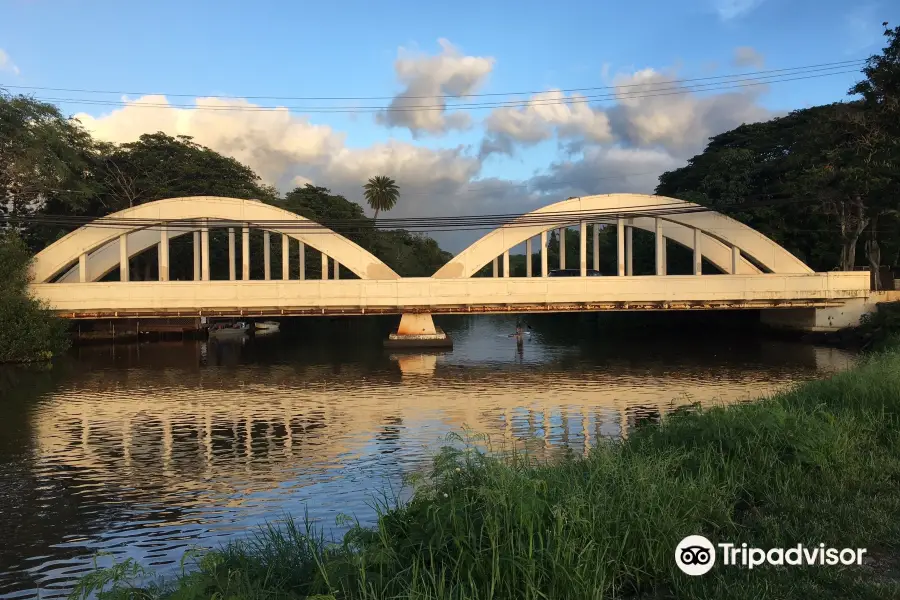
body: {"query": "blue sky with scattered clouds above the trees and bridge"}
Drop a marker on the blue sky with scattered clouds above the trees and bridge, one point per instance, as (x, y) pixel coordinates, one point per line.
(157, 59)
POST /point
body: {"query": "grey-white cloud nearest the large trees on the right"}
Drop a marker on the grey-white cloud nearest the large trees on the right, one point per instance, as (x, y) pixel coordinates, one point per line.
(681, 123)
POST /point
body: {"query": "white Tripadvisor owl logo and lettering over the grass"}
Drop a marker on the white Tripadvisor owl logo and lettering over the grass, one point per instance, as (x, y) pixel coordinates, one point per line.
(696, 555)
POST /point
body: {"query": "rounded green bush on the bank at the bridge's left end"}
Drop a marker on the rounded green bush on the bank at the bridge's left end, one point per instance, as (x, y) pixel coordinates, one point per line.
(28, 331)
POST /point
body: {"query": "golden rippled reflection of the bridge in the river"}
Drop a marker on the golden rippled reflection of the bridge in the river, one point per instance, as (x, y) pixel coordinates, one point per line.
(223, 432)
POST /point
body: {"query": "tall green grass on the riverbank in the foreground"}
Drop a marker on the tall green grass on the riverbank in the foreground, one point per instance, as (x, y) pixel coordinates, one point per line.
(819, 463)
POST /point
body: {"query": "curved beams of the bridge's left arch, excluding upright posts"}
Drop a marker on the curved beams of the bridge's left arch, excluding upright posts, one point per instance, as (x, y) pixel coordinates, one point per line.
(102, 257)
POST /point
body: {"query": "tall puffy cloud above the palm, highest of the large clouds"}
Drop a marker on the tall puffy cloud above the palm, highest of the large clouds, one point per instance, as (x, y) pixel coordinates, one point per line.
(429, 81)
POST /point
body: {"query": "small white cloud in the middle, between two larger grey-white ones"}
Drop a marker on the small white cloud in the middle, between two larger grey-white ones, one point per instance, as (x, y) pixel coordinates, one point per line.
(544, 115)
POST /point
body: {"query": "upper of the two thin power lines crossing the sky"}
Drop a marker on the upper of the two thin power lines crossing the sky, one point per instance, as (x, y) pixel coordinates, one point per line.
(843, 63)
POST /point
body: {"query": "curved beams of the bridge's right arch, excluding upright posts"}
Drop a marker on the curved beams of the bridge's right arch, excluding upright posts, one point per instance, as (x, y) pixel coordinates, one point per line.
(721, 234)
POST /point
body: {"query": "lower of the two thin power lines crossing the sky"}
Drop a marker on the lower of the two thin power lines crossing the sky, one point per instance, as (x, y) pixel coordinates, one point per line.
(647, 90)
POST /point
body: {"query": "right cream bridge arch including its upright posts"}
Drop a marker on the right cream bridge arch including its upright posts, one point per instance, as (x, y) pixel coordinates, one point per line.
(723, 241)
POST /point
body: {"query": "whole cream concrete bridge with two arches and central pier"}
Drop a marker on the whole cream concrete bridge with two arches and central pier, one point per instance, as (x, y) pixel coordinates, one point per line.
(755, 271)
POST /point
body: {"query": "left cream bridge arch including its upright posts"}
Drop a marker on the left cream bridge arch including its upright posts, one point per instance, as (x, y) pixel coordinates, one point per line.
(106, 243)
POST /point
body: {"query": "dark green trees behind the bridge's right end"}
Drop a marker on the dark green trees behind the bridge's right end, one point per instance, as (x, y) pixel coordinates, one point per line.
(814, 180)
